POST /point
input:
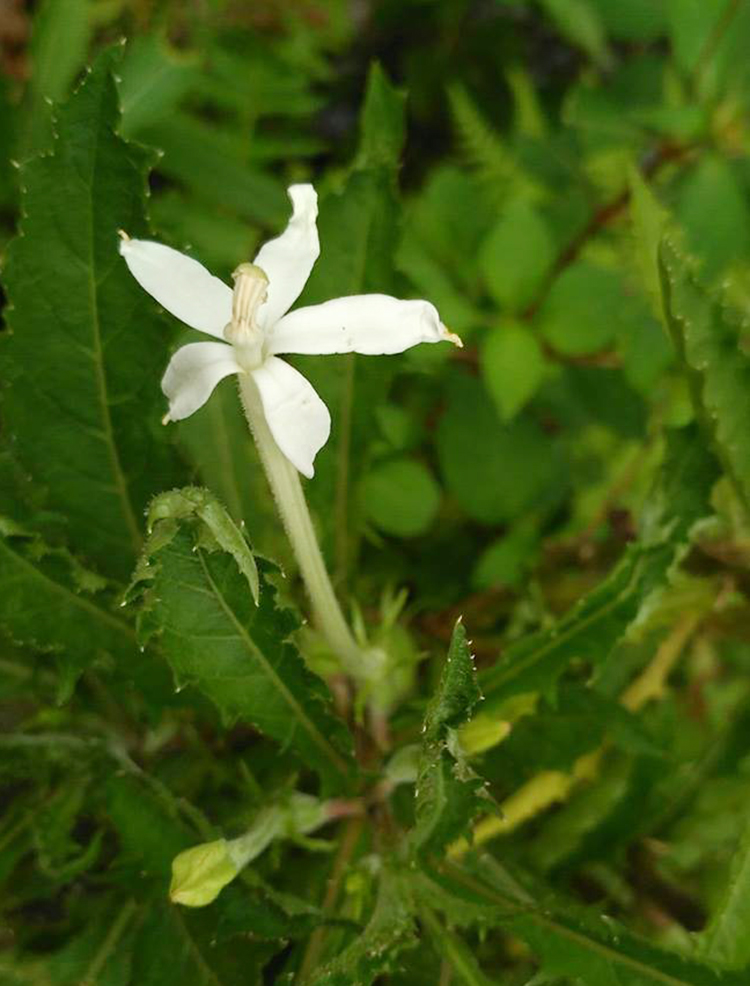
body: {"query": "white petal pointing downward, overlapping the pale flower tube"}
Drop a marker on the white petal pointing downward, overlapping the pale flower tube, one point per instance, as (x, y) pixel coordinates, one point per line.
(298, 418)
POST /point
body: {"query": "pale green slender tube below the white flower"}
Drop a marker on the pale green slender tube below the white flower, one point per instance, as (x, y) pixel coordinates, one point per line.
(285, 485)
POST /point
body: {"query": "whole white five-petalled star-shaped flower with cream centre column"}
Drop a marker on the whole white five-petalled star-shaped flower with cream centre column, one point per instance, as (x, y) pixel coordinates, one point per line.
(254, 327)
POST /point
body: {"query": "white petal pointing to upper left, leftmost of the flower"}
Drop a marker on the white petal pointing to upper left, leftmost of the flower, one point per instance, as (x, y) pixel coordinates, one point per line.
(180, 284)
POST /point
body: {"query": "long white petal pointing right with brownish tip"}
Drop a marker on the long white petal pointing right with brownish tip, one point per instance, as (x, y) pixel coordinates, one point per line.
(372, 324)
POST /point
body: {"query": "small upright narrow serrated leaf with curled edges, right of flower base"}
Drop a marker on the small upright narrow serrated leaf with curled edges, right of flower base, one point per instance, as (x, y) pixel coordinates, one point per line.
(447, 790)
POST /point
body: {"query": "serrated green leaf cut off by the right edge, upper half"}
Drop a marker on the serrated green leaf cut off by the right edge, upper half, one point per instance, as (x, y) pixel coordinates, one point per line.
(707, 334)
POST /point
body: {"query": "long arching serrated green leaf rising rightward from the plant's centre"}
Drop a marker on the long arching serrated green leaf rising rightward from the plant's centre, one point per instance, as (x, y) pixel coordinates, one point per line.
(600, 619)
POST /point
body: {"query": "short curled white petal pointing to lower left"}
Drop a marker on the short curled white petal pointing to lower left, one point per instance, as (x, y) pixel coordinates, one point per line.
(192, 374)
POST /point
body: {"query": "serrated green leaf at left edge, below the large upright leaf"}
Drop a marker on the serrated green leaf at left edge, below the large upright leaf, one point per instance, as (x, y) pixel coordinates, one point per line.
(50, 602)
